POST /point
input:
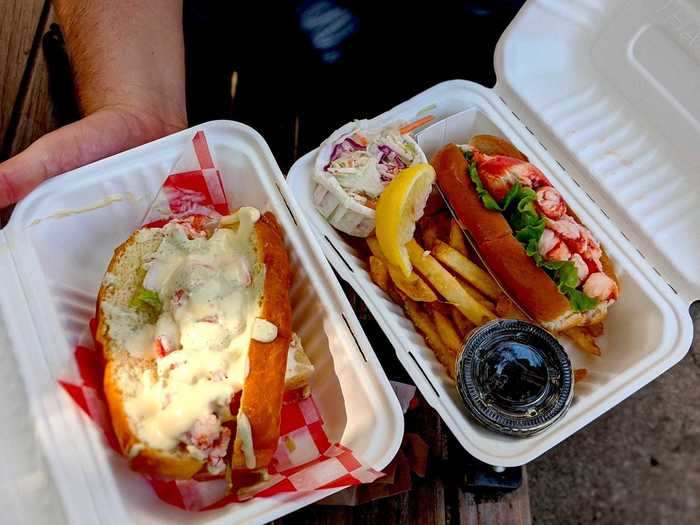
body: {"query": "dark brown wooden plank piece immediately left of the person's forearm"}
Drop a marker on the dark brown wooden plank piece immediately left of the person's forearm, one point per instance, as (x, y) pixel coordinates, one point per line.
(36, 113)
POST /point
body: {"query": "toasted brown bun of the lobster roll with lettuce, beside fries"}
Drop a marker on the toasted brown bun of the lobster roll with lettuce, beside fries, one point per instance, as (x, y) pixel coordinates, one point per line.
(530, 286)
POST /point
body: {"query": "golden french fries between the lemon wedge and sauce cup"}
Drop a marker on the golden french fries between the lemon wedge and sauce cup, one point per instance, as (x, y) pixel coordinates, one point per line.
(448, 294)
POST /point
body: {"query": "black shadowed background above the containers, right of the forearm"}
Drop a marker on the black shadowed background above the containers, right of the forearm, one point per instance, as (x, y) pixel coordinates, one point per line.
(306, 67)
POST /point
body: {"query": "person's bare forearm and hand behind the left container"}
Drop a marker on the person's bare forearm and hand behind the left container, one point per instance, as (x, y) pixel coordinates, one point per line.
(128, 61)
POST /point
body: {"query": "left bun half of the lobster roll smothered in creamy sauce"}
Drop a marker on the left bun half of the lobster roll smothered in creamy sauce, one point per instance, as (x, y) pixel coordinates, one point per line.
(122, 370)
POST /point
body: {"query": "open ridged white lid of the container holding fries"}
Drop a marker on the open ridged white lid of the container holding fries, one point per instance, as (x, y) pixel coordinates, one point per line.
(611, 88)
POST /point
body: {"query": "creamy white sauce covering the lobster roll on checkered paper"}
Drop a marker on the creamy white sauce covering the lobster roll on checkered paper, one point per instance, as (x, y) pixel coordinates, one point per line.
(210, 304)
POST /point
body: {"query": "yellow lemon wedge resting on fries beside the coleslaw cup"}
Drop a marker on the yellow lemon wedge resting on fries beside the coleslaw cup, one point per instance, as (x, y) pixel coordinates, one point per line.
(400, 205)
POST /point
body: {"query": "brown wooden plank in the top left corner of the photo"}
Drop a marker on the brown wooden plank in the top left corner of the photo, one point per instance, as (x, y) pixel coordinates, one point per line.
(18, 29)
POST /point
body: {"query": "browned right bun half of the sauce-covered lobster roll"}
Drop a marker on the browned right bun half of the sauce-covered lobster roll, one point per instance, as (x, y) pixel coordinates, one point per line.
(264, 386)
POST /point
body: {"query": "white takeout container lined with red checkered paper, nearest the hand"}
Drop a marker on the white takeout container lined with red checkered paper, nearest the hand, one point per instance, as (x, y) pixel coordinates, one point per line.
(53, 254)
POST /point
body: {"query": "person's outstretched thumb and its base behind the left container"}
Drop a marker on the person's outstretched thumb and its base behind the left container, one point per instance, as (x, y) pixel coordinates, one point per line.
(96, 136)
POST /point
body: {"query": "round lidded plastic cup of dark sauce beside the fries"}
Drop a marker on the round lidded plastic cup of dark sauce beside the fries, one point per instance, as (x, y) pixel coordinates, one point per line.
(514, 377)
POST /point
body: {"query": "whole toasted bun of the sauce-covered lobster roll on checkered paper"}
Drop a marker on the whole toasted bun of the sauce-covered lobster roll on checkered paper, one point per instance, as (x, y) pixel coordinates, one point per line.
(268, 370)
